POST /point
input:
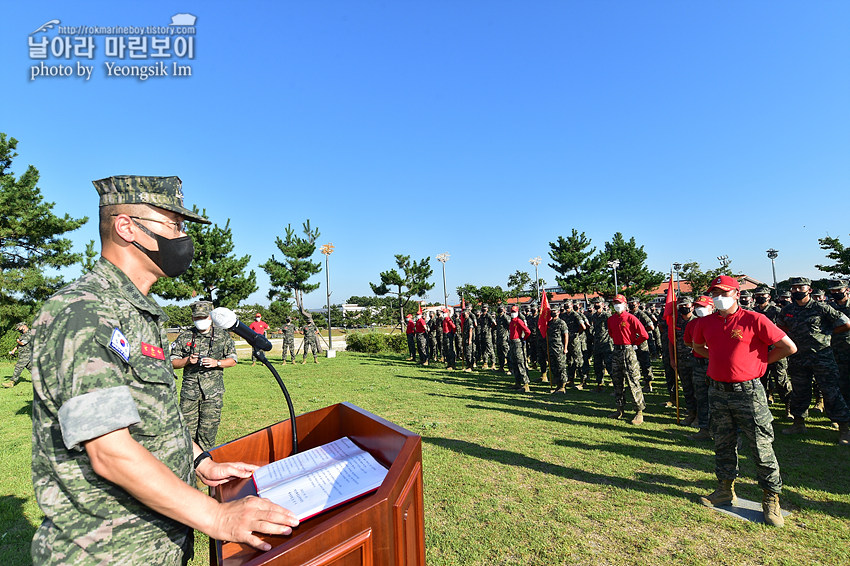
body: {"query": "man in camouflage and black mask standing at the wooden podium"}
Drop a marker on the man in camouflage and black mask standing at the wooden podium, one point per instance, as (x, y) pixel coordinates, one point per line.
(112, 461)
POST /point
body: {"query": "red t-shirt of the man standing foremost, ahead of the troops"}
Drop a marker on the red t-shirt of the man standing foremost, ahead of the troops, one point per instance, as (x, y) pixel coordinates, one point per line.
(737, 344)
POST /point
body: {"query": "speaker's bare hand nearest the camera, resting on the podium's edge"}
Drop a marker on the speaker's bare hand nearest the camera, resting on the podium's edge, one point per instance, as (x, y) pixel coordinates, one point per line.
(237, 521)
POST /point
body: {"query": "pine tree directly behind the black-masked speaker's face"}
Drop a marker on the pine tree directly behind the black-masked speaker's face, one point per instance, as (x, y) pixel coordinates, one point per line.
(216, 274)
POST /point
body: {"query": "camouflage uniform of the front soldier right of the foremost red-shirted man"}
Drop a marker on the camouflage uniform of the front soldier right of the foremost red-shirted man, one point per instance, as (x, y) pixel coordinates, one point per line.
(810, 327)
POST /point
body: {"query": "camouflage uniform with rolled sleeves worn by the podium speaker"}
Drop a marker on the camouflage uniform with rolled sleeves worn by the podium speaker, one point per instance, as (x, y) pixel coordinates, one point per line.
(99, 366)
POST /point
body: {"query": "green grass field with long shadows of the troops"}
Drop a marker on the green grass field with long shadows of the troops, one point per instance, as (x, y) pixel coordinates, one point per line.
(522, 479)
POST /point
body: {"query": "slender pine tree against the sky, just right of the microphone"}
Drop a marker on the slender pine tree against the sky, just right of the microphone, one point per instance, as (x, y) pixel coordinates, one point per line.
(289, 277)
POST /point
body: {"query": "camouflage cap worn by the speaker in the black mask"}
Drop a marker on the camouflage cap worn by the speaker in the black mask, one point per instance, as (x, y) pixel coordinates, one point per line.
(161, 192)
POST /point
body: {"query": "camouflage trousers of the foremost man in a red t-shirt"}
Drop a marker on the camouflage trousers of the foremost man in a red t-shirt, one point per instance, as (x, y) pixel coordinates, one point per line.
(744, 409)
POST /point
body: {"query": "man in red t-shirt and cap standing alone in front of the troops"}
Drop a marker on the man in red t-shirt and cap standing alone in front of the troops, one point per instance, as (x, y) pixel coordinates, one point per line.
(736, 342)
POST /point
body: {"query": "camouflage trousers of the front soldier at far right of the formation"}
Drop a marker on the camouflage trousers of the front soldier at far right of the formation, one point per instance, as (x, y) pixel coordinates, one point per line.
(821, 367)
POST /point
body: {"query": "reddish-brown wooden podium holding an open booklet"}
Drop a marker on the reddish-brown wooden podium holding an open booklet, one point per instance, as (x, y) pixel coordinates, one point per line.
(384, 528)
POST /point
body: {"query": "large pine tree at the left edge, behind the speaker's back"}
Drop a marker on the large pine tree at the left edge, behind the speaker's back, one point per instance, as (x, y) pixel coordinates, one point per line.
(30, 241)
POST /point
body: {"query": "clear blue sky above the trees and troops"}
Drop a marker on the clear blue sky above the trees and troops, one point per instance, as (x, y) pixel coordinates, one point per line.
(482, 129)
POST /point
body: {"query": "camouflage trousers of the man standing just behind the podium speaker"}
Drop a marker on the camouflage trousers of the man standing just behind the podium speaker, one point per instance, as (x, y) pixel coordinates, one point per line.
(201, 408)
